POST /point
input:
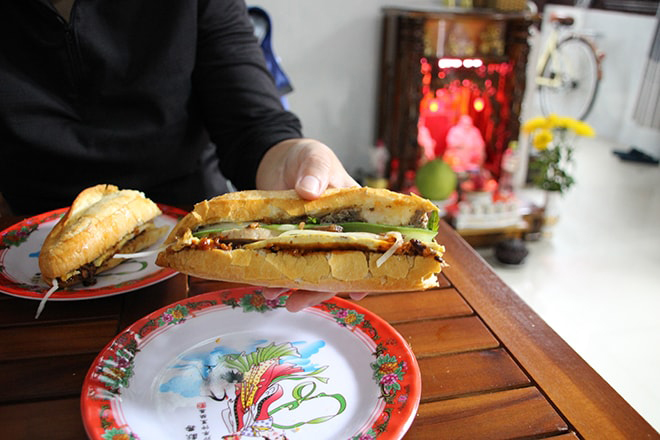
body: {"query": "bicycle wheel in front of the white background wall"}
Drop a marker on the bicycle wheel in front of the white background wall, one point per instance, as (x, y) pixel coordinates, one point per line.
(572, 79)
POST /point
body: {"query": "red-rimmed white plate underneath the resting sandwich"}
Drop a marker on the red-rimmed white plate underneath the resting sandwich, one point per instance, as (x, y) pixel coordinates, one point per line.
(19, 267)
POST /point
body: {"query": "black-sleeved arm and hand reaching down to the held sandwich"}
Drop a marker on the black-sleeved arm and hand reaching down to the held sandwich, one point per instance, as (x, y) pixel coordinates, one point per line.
(259, 143)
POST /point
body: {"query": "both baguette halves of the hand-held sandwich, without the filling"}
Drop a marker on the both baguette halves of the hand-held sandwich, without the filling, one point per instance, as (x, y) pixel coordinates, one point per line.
(322, 269)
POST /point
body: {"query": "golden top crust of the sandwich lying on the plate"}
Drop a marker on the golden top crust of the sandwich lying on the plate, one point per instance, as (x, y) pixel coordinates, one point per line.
(99, 217)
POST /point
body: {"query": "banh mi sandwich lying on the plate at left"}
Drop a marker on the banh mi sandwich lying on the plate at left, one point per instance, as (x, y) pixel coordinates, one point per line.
(101, 222)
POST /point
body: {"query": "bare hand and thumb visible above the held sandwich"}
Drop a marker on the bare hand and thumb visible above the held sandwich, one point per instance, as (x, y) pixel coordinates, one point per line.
(306, 165)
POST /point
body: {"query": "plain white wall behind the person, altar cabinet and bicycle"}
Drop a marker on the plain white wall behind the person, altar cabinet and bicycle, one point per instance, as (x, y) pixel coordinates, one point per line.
(330, 50)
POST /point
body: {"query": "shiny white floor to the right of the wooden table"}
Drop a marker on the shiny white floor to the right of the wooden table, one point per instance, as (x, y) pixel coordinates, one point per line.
(596, 279)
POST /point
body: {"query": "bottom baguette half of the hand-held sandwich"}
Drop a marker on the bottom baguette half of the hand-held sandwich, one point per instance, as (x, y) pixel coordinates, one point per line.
(336, 271)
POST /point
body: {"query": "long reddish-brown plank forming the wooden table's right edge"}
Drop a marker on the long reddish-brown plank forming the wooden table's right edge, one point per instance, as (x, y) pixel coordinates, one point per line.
(582, 396)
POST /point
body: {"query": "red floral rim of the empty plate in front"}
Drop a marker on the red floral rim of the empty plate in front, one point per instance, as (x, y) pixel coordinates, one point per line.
(393, 421)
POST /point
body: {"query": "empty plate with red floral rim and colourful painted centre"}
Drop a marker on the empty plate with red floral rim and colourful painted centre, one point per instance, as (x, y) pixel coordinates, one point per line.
(232, 365)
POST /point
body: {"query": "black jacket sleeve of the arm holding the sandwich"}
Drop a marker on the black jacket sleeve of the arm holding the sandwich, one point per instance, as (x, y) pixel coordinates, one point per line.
(236, 92)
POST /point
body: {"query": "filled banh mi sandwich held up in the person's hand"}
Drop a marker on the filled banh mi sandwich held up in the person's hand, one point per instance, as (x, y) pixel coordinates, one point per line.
(352, 239)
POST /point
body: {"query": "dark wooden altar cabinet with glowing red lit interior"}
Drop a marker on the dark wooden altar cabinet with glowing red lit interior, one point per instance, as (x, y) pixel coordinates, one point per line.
(471, 65)
